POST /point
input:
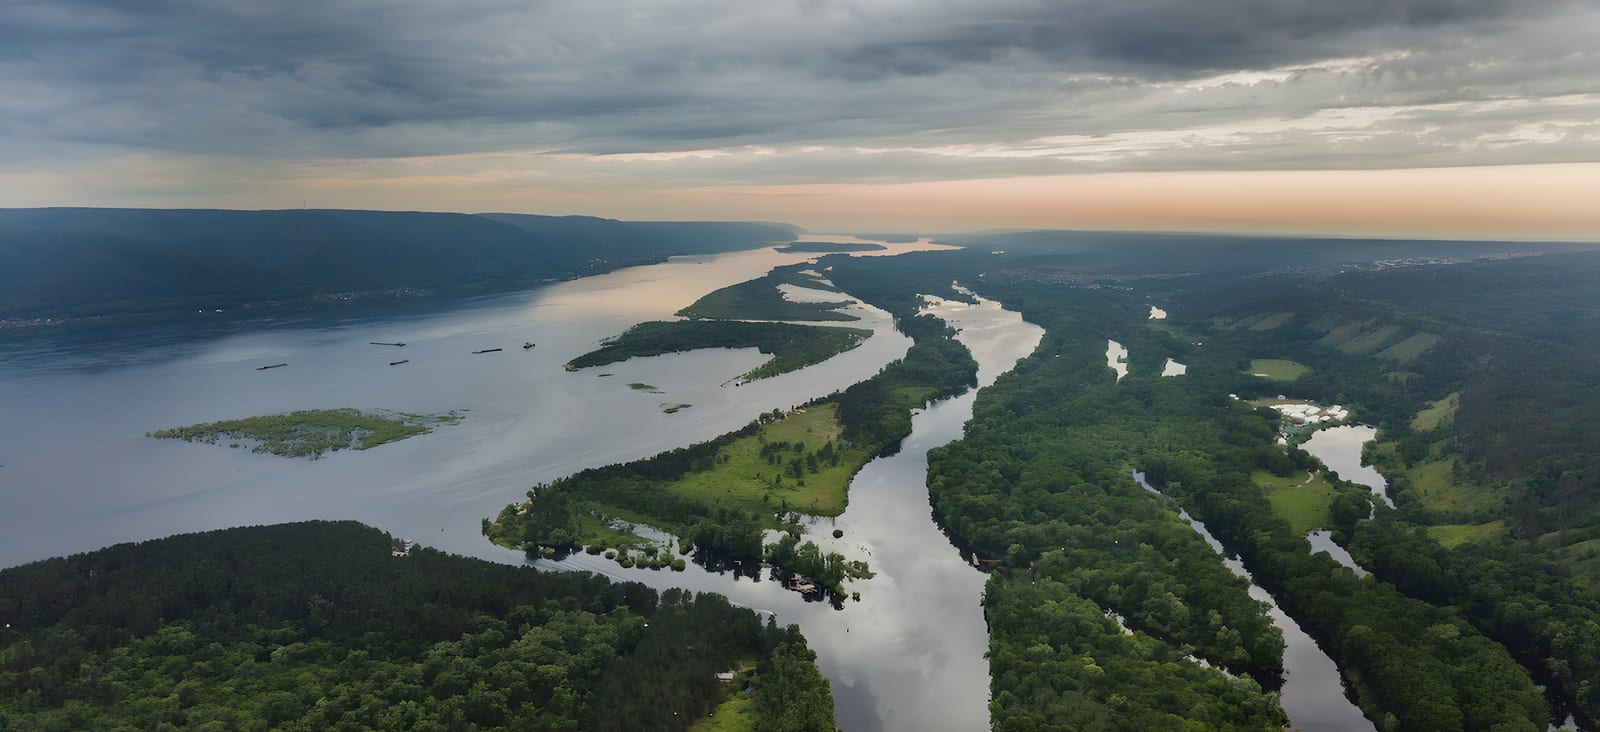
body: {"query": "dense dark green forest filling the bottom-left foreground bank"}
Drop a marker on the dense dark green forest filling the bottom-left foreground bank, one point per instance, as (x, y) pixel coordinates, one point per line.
(338, 626)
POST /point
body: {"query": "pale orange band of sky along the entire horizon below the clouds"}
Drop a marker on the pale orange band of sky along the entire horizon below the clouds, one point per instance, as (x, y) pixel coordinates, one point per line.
(1494, 202)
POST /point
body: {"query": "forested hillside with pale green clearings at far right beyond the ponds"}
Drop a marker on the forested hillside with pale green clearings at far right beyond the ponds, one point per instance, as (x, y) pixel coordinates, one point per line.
(1486, 439)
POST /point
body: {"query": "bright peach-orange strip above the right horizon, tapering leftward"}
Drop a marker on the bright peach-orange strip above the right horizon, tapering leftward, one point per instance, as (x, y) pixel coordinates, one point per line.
(1506, 202)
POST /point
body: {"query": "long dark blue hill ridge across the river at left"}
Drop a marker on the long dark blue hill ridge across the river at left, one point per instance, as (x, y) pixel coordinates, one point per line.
(76, 263)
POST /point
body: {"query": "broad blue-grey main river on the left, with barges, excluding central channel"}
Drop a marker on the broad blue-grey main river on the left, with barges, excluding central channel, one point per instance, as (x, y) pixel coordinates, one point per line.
(79, 474)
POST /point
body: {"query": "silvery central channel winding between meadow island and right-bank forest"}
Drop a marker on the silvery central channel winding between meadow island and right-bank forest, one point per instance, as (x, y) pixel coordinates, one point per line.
(910, 654)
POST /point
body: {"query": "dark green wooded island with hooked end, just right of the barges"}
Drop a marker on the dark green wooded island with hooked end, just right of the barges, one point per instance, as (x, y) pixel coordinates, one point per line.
(791, 346)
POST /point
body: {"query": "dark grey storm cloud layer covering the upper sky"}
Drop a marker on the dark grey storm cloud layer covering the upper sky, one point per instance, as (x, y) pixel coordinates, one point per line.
(370, 79)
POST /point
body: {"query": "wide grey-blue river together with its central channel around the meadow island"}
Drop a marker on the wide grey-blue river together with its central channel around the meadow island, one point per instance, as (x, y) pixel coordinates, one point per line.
(78, 472)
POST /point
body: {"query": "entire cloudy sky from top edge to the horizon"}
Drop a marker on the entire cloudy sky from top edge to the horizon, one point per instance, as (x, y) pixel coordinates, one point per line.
(1348, 117)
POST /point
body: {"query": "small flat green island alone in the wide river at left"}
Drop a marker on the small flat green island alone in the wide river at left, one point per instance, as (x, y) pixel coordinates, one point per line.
(311, 432)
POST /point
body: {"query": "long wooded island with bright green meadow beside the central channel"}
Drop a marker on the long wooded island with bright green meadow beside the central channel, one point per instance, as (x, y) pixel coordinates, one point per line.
(719, 496)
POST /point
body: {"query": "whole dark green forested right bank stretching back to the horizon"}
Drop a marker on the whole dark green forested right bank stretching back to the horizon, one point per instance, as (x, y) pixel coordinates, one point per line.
(1041, 482)
